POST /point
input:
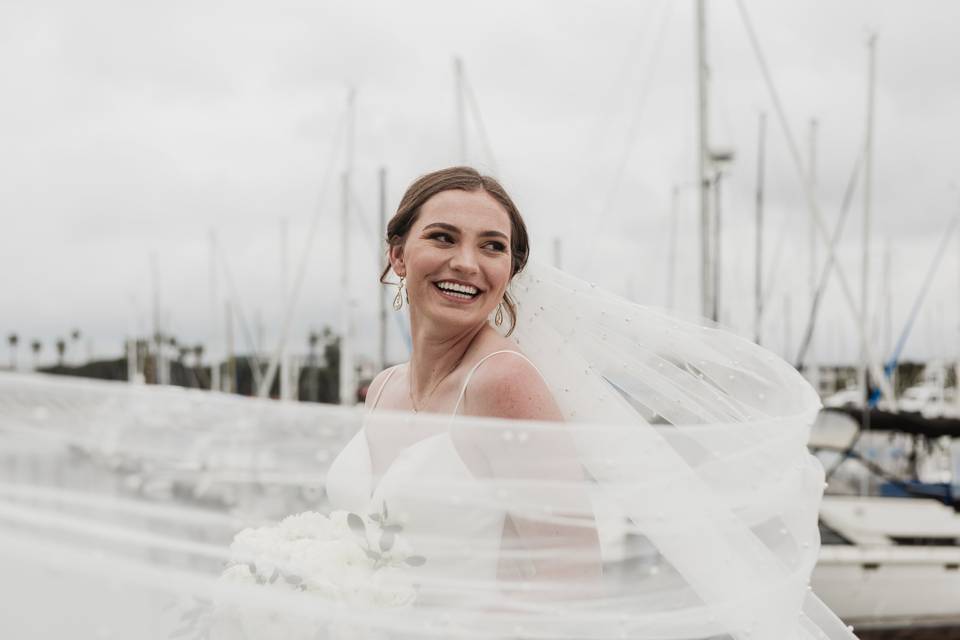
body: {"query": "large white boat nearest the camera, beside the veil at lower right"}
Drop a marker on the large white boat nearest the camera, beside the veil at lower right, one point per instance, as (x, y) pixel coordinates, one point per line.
(886, 563)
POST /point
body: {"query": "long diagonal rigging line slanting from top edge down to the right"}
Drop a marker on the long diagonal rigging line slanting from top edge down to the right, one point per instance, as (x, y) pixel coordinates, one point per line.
(872, 362)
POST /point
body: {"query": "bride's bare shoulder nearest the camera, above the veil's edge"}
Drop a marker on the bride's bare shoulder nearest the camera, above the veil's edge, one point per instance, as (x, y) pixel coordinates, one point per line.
(507, 385)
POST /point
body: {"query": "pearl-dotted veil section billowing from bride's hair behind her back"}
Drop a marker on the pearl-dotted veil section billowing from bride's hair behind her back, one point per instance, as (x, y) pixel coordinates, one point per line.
(703, 448)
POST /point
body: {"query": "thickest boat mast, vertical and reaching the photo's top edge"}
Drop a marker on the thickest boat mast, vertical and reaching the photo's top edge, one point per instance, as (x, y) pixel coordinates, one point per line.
(706, 294)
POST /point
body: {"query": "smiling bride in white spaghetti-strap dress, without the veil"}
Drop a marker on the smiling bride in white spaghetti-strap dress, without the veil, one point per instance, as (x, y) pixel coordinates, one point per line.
(456, 242)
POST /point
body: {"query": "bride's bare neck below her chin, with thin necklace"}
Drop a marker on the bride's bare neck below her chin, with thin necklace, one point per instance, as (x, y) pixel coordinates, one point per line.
(436, 354)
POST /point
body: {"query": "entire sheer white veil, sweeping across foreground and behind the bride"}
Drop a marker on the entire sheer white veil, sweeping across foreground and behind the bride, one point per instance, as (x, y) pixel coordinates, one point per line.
(165, 513)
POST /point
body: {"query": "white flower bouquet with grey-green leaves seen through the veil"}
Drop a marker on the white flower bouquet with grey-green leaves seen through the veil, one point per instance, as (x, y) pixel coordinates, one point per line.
(347, 559)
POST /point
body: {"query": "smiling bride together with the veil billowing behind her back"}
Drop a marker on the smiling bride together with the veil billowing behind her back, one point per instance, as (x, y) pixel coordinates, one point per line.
(571, 463)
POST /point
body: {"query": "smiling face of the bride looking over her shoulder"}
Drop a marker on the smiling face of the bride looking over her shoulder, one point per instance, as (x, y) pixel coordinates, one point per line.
(456, 258)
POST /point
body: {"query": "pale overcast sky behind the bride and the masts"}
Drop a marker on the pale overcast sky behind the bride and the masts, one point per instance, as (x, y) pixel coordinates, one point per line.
(135, 129)
